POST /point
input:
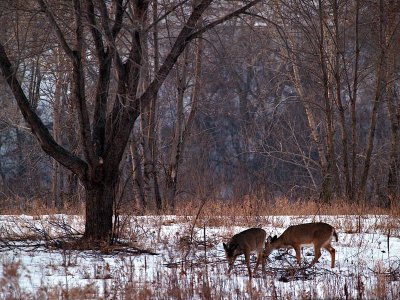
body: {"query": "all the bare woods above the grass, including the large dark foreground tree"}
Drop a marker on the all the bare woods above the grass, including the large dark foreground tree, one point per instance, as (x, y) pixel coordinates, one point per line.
(152, 103)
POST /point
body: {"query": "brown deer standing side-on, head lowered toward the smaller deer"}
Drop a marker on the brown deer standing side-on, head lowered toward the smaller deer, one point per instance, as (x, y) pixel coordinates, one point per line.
(319, 234)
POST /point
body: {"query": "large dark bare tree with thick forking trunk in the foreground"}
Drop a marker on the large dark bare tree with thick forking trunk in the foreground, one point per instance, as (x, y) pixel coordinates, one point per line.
(104, 133)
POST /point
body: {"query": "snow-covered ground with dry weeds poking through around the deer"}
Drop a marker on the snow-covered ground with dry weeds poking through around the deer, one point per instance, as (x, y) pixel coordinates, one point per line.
(191, 265)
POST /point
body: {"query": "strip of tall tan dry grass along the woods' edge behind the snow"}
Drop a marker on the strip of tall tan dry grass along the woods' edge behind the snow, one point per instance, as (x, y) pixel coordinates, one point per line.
(248, 206)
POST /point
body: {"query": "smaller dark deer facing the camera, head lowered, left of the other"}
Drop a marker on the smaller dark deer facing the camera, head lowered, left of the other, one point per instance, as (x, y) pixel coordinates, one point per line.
(245, 242)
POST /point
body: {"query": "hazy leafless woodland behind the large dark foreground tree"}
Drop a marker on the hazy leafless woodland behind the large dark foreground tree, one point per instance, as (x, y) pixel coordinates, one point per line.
(293, 99)
